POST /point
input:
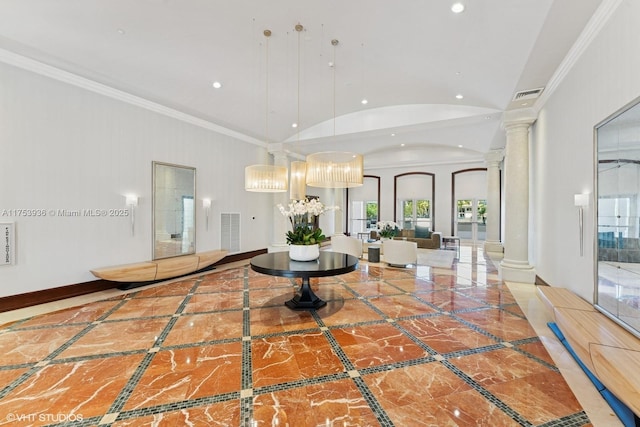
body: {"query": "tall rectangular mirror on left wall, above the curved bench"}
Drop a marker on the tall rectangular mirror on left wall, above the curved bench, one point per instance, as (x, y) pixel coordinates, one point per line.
(174, 218)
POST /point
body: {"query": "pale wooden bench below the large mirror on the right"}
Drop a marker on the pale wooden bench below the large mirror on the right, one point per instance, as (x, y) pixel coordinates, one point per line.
(610, 352)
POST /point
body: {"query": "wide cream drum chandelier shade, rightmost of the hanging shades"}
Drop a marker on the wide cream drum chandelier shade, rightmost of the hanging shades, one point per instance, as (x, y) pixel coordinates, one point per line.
(335, 169)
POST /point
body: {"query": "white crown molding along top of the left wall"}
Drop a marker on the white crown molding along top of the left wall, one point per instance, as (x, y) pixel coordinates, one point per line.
(43, 69)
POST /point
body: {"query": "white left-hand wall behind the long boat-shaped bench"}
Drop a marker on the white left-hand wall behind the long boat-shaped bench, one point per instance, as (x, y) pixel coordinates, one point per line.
(63, 147)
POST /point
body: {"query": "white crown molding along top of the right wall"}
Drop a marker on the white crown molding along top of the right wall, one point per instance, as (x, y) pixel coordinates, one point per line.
(590, 31)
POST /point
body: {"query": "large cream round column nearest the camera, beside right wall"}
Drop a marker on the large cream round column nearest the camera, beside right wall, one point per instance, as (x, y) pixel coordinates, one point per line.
(515, 264)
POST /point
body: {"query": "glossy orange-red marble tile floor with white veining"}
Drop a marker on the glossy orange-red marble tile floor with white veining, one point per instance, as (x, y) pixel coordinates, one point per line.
(418, 346)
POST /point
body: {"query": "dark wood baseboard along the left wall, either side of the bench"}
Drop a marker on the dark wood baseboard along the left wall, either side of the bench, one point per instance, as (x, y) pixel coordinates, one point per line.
(29, 299)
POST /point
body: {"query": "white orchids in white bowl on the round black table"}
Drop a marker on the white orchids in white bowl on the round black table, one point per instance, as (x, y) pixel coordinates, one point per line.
(304, 238)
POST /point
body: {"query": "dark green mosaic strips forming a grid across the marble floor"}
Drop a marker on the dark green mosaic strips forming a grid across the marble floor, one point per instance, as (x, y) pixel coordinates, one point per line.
(247, 393)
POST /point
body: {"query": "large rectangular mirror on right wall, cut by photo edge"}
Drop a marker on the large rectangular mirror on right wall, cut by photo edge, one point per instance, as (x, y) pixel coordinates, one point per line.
(617, 292)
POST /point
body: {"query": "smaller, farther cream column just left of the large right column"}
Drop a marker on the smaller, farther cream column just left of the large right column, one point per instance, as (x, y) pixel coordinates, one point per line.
(492, 242)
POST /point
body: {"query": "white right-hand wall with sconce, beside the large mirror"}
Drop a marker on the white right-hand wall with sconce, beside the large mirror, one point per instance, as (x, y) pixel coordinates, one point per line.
(605, 78)
